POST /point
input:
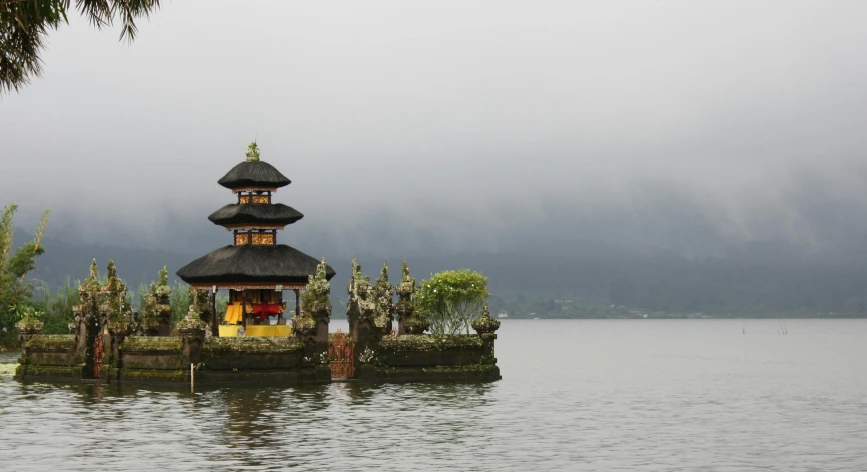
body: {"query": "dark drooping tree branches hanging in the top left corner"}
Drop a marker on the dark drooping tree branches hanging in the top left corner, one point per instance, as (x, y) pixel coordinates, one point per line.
(24, 25)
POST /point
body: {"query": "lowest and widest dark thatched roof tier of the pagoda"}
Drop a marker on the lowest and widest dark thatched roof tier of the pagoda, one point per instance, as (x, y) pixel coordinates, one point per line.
(278, 264)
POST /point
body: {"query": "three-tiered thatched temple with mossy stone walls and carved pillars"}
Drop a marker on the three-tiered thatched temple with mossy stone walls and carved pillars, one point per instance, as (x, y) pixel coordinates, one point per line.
(265, 336)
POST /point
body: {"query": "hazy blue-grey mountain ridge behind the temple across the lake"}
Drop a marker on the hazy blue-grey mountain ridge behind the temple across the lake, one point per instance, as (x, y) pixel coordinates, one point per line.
(769, 277)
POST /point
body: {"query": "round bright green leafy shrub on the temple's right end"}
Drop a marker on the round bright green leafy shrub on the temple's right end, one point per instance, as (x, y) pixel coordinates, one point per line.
(451, 300)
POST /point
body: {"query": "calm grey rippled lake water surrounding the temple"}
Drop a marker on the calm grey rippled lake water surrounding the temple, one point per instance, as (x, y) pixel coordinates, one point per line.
(626, 395)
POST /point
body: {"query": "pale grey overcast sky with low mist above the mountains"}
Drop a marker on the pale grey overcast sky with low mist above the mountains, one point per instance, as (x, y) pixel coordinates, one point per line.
(471, 125)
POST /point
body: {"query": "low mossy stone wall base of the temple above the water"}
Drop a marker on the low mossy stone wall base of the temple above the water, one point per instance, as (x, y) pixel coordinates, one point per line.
(167, 360)
